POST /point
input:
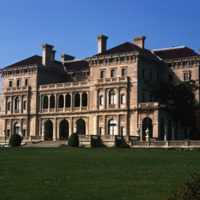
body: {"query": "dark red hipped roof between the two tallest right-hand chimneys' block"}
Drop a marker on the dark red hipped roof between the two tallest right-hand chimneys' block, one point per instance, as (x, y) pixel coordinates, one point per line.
(127, 47)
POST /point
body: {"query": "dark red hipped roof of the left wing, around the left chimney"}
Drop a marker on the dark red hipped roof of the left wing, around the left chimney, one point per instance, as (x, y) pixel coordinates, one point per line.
(35, 60)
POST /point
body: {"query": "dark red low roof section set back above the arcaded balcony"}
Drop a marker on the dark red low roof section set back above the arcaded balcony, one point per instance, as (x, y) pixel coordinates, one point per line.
(76, 65)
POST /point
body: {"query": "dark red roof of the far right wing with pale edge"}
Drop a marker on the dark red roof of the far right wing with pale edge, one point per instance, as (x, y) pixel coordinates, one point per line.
(175, 53)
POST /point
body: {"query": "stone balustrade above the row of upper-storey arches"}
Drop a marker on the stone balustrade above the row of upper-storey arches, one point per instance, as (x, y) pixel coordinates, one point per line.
(63, 85)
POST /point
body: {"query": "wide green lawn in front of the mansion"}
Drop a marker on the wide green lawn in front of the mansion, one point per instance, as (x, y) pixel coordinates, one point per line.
(94, 173)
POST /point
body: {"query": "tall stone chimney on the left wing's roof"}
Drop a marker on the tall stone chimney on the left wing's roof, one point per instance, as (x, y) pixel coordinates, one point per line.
(47, 55)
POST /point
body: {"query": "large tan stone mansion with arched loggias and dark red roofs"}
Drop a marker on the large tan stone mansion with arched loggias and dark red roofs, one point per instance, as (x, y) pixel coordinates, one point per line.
(107, 94)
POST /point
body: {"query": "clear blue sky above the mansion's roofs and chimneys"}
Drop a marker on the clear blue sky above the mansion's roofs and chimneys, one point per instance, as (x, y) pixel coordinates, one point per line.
(72, 26)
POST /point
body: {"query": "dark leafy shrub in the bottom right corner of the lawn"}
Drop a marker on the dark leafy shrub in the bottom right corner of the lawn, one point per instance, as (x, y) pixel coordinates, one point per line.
(189, 190)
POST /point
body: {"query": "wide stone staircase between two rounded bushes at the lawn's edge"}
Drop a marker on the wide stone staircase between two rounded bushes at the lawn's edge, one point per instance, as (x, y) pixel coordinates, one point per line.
(60, 143)
